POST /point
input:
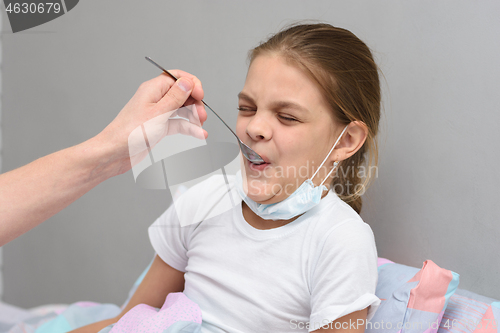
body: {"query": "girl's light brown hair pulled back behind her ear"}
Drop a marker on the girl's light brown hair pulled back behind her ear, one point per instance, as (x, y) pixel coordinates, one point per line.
(344, 69)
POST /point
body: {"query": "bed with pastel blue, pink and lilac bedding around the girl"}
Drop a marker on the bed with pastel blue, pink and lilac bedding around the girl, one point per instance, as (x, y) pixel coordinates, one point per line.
(425, 299)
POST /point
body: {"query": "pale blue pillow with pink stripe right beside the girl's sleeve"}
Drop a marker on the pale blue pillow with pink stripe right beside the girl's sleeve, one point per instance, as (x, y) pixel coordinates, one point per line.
(413, 300)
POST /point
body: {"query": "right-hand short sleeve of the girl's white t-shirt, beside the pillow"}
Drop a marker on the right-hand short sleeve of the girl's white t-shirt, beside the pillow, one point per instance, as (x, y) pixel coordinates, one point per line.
(345, 276)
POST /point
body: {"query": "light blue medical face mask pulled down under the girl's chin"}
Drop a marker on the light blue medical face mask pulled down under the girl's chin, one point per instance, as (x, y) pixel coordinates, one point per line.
(305, 197)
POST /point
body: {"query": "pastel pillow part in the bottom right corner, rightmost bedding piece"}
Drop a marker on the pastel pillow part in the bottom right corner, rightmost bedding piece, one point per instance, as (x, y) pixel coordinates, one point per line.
(470, 312)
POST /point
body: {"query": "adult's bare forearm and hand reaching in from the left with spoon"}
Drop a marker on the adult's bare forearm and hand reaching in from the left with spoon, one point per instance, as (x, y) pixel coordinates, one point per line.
(31, 194)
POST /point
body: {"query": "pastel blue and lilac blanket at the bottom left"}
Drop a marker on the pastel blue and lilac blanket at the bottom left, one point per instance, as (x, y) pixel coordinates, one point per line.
(178, 314)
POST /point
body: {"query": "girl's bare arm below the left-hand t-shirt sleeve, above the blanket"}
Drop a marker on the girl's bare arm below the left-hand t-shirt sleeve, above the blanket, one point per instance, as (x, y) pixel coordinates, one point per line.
(160, 280)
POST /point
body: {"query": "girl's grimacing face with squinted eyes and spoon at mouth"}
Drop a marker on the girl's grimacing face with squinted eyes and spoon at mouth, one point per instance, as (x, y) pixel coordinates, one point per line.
(286, 120)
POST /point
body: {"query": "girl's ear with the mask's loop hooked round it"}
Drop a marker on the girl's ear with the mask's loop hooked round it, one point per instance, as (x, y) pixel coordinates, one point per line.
(352, 140)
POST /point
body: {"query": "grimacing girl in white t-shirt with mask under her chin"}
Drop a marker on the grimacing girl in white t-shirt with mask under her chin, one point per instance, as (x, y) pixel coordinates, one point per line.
(292, 255)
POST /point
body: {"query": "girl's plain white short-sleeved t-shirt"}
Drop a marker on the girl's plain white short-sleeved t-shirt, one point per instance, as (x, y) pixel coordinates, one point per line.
(295, 278)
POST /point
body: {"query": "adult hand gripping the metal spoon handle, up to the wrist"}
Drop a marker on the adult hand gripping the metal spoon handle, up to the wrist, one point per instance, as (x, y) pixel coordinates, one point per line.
(148, 114)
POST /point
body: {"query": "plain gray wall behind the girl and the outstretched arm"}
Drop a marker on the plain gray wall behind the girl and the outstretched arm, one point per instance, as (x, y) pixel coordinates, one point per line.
(437, 191)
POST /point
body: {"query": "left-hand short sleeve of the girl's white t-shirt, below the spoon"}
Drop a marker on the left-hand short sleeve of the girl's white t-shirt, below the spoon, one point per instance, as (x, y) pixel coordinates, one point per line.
(170, 240)
